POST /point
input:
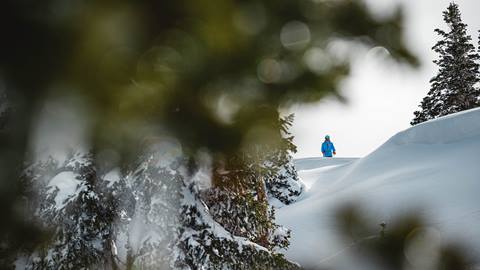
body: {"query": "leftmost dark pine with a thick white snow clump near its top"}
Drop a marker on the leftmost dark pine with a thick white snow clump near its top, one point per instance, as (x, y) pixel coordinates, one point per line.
(75, 206)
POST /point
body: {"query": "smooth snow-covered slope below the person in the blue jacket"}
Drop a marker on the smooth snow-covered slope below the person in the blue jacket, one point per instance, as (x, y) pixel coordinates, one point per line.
(433, 167)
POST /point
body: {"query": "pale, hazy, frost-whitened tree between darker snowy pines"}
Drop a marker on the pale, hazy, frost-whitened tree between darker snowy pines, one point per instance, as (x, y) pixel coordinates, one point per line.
(148, 240)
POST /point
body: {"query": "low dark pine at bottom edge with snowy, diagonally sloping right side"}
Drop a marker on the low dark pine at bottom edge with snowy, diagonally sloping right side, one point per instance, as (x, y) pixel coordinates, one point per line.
(206, 244)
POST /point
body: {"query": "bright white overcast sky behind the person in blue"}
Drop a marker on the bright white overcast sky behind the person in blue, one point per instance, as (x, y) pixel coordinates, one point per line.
(382, 96)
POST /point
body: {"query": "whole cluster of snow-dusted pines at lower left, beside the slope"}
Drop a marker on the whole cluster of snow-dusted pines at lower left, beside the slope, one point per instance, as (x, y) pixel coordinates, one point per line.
(156, 214)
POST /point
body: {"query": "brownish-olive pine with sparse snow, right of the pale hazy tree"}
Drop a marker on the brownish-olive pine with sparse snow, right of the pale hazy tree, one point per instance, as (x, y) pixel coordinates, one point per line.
(238, 200)
